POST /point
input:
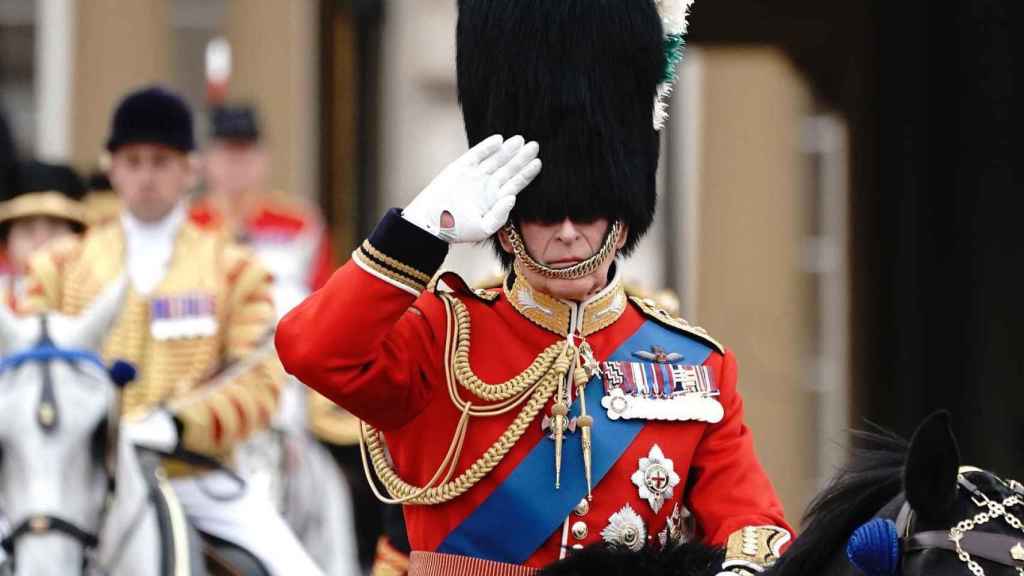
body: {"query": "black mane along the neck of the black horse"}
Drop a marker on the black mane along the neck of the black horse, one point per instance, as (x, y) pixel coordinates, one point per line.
(872, 479)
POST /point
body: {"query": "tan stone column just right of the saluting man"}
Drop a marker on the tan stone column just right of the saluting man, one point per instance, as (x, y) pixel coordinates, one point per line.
(752, 289)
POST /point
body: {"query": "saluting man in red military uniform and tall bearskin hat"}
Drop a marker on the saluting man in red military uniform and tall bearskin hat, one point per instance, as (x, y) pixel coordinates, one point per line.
(521, 424)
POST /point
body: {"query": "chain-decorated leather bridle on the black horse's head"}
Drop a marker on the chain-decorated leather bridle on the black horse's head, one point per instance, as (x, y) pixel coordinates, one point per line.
(962, 540)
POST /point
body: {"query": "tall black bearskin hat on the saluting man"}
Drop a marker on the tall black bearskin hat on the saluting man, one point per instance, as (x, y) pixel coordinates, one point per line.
(580, 77)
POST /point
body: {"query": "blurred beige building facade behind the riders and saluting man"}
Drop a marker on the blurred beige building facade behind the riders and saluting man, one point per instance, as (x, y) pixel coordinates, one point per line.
(360, 105)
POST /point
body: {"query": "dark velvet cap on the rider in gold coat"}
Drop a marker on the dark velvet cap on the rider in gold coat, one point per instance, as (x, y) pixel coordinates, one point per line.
(153, 115)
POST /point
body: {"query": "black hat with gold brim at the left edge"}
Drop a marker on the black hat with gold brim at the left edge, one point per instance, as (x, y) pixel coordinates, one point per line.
(44, 190)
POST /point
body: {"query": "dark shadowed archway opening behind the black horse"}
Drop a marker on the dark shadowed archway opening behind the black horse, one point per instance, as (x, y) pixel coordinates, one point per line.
(929, 96)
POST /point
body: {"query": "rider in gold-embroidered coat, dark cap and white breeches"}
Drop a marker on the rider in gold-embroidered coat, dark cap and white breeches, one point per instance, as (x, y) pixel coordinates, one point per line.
(195, 322)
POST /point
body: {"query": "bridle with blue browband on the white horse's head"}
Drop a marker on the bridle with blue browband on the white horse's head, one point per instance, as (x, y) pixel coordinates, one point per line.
(46, 352)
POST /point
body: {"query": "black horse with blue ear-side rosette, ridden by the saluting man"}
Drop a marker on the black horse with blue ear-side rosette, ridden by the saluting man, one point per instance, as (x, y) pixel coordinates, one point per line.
(898, 510)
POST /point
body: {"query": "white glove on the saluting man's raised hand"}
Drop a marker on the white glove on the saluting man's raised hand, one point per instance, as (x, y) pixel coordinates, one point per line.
(478, 191)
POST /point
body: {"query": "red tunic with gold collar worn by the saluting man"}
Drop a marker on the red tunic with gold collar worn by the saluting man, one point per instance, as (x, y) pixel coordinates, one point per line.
(372, 341)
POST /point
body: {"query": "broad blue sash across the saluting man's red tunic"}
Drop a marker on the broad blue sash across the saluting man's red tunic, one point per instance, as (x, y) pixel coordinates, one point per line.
(526, 510)
